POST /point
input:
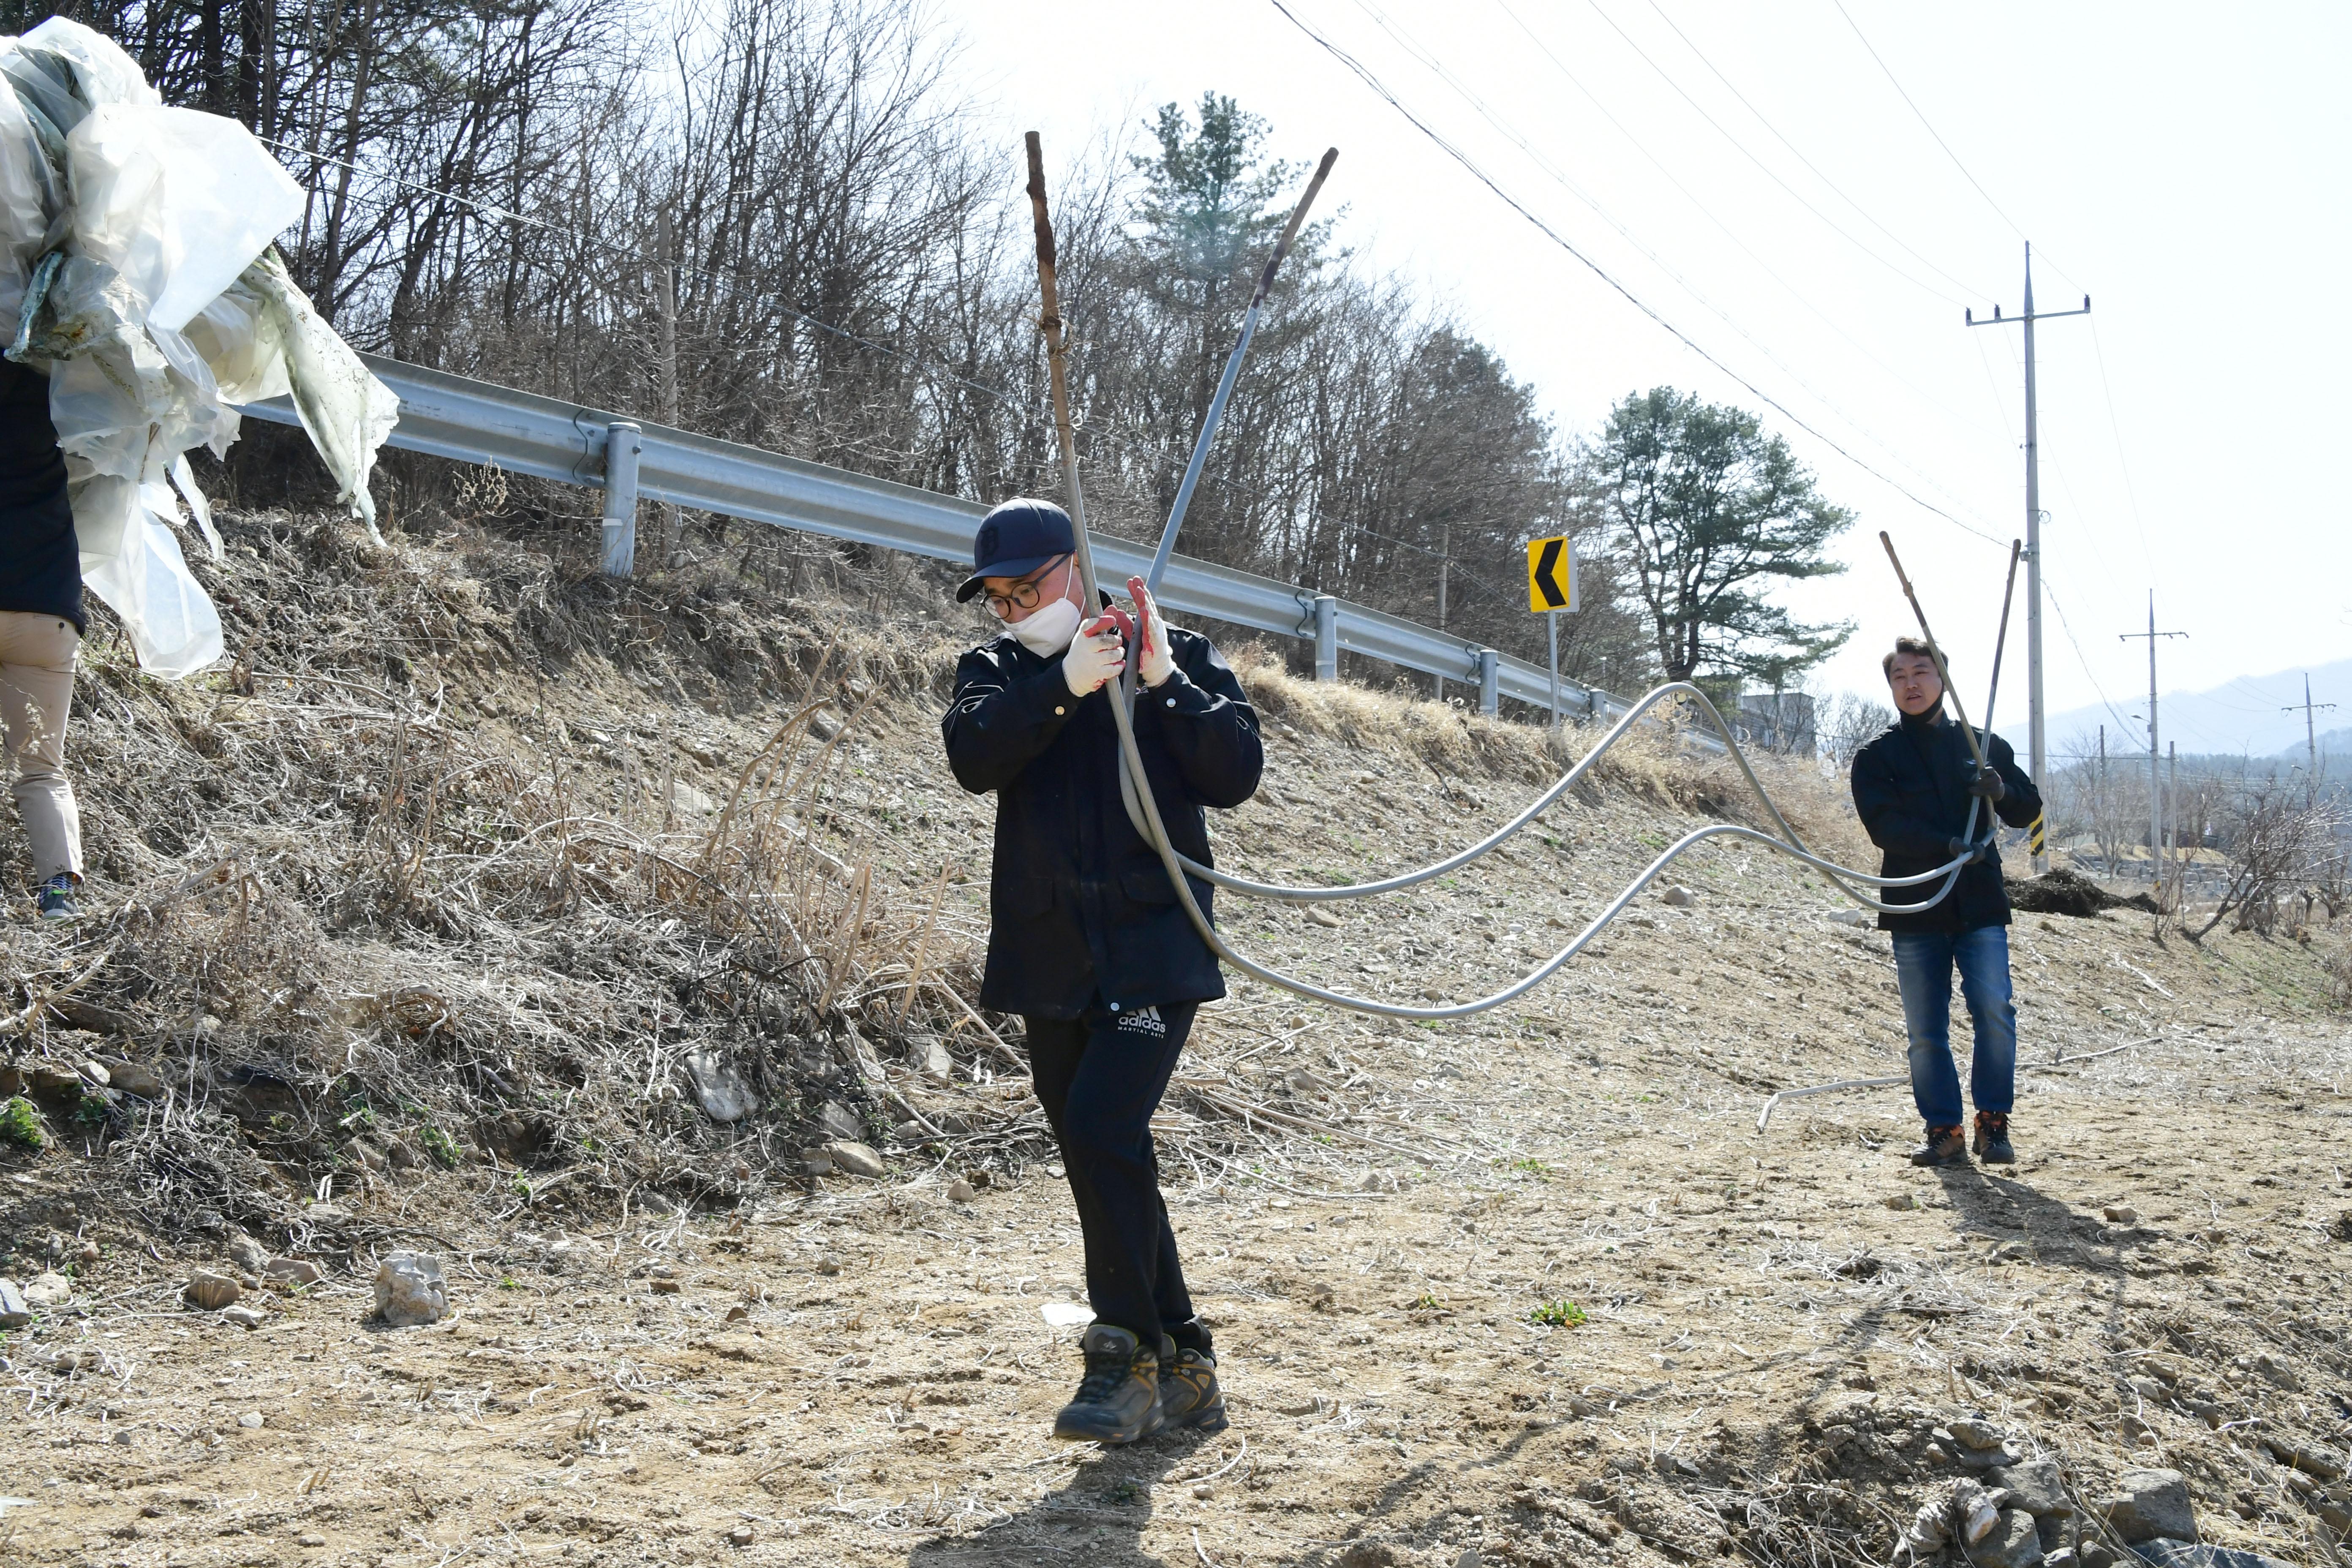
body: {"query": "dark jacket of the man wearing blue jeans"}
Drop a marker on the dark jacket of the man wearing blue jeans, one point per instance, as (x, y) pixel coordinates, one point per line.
(1911, 789)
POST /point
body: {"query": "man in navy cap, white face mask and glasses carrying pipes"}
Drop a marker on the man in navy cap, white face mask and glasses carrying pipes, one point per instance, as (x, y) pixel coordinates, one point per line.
(1088, 939)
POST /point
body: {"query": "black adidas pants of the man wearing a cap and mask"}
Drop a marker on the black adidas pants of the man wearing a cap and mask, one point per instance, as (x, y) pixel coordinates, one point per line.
(1100, 1078)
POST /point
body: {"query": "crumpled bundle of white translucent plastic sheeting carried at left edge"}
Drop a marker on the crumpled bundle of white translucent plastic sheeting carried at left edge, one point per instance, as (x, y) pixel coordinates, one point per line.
(138, 267)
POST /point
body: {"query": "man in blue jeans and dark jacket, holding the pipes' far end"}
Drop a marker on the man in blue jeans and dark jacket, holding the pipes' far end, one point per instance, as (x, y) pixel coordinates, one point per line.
(1913, 789)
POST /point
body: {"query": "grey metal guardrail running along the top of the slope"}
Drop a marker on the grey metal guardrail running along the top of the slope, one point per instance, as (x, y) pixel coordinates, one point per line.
(481, 422)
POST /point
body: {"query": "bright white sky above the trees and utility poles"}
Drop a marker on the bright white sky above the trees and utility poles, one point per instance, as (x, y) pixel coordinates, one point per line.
(1758, 180)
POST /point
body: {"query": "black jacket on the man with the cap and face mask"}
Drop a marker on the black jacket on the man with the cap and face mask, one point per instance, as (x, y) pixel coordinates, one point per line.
(1078, 899)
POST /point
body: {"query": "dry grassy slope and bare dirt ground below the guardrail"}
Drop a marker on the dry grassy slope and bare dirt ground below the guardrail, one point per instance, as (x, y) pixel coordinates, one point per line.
(460, 906)
